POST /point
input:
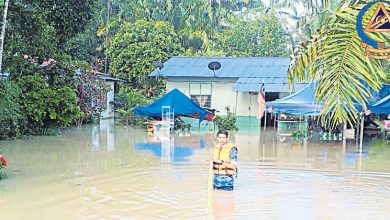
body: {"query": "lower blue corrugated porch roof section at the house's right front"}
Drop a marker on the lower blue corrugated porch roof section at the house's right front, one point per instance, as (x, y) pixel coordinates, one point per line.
(271, 84)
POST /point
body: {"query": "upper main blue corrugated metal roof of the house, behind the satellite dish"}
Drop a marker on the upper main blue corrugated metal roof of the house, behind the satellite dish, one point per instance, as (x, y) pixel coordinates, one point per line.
(230, 67)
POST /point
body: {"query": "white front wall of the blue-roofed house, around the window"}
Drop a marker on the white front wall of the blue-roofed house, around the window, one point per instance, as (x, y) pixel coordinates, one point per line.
(222, 96)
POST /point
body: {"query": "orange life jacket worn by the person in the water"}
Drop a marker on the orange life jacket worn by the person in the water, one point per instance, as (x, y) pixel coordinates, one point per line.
(223, 154)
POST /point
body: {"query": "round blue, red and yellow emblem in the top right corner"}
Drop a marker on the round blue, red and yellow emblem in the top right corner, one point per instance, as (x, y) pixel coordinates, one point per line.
(379, 23)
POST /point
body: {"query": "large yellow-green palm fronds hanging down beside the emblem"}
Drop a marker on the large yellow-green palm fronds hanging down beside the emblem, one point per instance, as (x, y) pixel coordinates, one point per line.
(335, 58)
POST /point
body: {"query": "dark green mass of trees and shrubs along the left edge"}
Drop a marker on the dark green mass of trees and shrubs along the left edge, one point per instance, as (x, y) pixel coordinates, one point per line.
(42, 86)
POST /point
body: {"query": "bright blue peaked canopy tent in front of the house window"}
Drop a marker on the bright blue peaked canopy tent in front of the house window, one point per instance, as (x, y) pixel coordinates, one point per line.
(180, 104)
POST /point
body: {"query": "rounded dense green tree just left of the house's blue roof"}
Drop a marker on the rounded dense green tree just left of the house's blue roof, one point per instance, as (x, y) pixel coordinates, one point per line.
(137, 45)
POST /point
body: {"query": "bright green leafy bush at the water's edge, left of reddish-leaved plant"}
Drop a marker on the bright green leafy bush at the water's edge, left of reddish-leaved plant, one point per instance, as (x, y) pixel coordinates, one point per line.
(44, 106)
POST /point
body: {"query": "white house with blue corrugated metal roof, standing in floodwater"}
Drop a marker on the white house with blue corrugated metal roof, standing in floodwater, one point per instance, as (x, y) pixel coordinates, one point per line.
(234, 85)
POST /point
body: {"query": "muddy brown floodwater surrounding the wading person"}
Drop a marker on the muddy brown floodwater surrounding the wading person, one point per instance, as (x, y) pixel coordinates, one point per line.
(103, 172)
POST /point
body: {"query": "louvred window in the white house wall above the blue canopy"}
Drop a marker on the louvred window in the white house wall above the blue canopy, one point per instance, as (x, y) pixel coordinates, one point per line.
(201, 94)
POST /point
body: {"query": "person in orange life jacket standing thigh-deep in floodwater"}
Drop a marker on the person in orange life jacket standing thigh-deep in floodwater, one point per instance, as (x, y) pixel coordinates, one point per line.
(224, 163)
